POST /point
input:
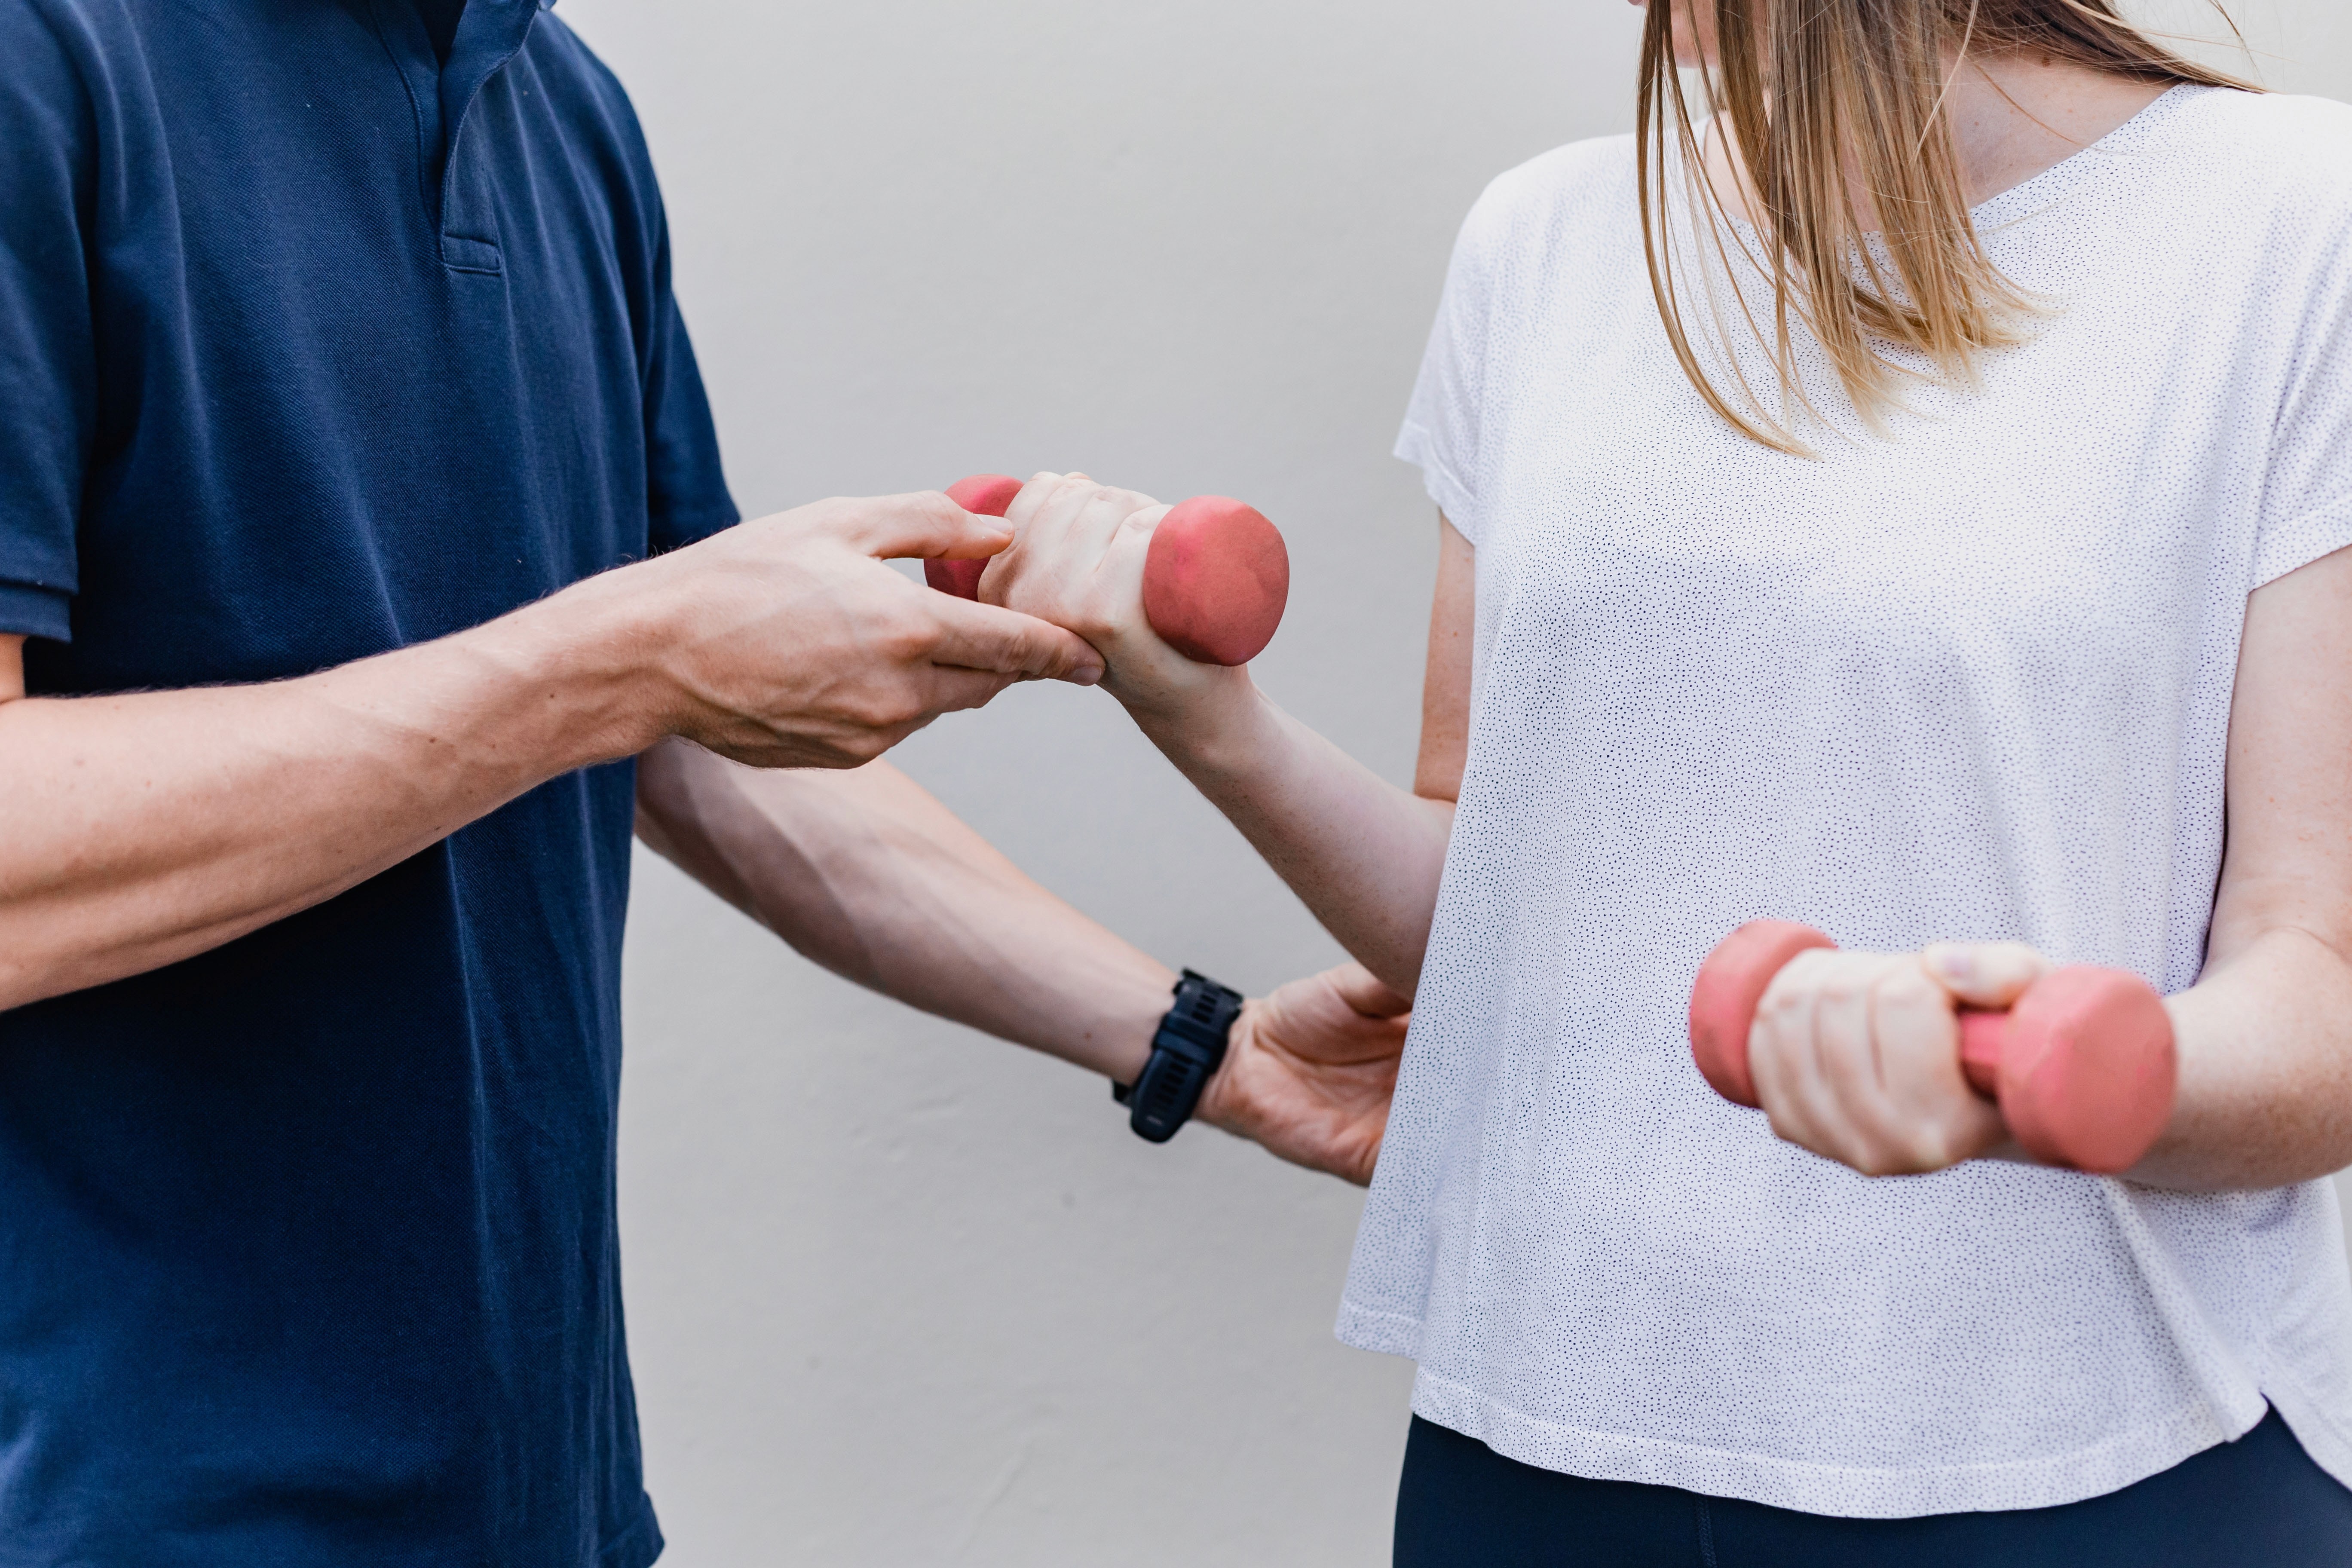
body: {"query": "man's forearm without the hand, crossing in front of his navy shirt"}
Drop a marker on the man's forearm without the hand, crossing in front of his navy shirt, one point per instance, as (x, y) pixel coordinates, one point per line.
(149, 829)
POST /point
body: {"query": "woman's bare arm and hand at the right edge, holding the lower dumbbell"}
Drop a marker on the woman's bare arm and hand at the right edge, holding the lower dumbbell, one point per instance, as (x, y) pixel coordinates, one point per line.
(1855, 1052)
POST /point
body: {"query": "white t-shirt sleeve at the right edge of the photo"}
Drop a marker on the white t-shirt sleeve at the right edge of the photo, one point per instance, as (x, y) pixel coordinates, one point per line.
(2308, 490)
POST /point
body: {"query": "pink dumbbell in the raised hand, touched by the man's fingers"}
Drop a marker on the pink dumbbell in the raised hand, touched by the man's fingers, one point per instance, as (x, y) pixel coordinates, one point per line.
(1215, 579)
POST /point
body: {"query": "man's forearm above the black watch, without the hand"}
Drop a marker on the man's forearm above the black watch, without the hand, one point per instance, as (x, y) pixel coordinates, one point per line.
(871, 878)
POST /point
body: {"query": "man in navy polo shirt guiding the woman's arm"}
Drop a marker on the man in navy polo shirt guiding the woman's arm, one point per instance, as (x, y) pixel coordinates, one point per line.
(361, 532)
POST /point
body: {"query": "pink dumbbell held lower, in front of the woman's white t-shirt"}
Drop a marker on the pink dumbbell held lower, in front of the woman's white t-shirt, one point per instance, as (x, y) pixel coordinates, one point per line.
(2083, 1066)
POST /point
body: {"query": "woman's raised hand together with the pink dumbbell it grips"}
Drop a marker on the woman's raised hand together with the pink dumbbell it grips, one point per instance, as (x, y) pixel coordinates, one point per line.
(1172, 598)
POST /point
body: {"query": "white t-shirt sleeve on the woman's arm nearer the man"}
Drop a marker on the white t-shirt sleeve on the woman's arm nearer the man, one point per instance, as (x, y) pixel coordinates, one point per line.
(1443, 424)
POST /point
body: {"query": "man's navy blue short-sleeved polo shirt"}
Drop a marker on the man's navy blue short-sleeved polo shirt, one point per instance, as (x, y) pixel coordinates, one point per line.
(316, 347)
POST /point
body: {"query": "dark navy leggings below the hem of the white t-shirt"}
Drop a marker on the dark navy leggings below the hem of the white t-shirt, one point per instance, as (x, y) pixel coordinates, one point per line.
(2254, 1503)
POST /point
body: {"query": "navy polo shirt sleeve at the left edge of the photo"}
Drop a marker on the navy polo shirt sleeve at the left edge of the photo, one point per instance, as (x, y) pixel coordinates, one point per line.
(48, 359)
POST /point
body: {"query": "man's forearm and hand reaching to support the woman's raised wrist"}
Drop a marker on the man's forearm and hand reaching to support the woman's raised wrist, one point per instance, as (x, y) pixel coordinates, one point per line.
(149, 829)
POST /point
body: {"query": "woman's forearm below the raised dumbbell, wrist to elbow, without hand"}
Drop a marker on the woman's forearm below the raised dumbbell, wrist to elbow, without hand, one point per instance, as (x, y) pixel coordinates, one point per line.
(1363, 855)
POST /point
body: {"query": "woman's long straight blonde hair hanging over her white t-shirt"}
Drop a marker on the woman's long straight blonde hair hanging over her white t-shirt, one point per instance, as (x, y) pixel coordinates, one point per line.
(1822, 100)
